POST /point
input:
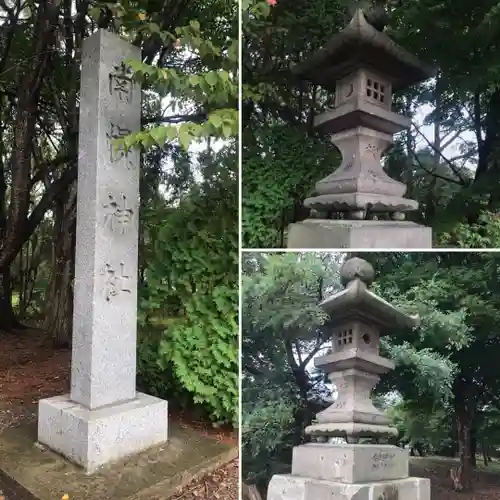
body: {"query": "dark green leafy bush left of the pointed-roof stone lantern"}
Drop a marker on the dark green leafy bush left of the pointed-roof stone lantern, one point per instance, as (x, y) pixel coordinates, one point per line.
(271, 190)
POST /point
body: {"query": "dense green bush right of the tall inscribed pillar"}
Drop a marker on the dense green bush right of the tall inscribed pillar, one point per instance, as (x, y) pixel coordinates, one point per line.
(193, 272)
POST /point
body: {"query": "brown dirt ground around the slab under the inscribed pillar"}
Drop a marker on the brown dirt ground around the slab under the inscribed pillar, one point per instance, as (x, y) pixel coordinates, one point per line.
(31, 370)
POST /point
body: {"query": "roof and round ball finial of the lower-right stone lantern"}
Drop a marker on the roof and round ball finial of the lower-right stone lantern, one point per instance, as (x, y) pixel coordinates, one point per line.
(356, 300)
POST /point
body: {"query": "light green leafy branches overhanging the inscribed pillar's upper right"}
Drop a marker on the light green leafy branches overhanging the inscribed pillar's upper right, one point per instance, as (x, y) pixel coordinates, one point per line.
(211, 84)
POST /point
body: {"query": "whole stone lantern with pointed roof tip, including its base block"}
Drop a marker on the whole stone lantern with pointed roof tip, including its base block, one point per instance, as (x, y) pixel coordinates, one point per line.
(363, 66)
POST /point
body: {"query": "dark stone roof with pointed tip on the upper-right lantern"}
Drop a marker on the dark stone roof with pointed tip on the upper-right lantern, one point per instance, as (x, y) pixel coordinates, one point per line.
(361, 45)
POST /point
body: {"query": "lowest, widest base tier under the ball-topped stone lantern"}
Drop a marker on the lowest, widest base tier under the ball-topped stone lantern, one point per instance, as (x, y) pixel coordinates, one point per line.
(303, 488)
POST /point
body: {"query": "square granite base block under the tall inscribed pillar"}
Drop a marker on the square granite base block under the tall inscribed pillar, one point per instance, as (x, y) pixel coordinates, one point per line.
(91, 438)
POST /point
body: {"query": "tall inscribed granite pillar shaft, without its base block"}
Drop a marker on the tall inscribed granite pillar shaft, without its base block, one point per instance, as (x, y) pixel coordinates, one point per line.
(103, 363)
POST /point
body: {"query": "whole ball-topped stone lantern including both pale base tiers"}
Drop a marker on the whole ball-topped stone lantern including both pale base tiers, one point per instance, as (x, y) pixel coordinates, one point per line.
(322, 470)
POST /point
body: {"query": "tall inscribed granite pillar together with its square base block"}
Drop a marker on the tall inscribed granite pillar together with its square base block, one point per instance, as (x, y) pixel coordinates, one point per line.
(104, 418)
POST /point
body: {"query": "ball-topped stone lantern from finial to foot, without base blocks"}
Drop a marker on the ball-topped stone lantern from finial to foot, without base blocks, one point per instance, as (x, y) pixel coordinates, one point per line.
(357, 317)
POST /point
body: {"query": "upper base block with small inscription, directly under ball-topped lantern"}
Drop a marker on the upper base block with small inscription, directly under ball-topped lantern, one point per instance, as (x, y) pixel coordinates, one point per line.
(350, 463)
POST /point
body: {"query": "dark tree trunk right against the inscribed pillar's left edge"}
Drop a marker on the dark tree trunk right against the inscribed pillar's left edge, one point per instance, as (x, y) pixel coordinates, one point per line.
(59, 318)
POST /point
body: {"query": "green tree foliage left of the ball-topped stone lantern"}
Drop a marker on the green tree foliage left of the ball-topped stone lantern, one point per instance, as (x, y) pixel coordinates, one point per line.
(281, 328)
